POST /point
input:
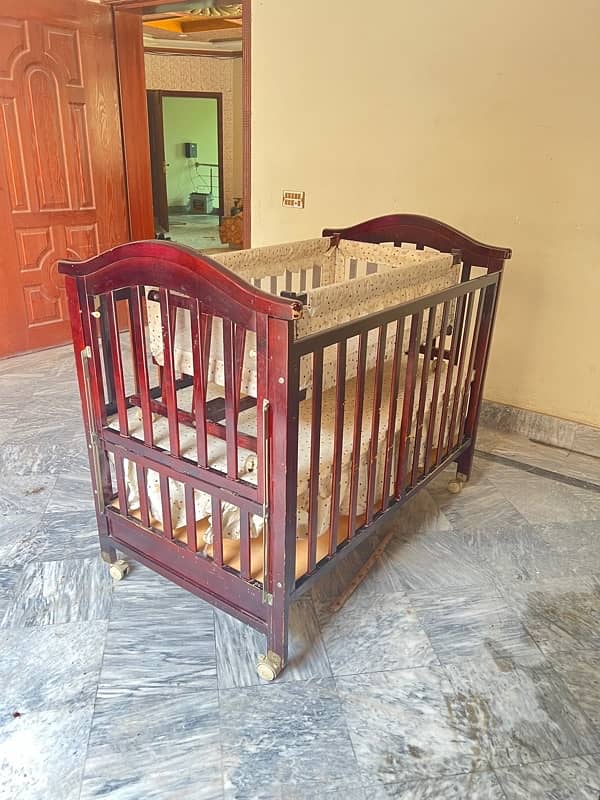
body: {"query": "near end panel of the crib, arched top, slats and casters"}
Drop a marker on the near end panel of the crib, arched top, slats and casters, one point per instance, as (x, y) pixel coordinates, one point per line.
(174, 459)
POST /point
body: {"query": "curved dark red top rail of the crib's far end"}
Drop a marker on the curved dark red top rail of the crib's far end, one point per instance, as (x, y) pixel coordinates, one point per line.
(414, 228)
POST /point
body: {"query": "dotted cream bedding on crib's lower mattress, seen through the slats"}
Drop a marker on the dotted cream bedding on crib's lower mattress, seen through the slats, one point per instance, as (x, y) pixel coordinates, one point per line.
(247, 461)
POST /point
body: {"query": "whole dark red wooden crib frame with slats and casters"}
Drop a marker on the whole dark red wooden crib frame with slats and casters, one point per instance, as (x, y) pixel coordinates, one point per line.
(101, 288)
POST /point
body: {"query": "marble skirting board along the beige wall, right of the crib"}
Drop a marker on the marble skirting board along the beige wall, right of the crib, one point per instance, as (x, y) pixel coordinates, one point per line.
(542, 427)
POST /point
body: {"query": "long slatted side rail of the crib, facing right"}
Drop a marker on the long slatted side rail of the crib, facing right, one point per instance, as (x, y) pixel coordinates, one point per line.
(400, 422)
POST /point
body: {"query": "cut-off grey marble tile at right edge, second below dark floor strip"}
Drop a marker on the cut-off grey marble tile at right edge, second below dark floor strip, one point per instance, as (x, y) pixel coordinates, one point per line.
(577, 543)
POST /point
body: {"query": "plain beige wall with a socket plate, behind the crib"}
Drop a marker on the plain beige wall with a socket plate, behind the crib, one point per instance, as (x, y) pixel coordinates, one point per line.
(486, 115)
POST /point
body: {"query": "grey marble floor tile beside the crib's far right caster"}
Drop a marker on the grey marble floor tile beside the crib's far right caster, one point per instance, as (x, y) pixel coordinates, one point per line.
(479, 505)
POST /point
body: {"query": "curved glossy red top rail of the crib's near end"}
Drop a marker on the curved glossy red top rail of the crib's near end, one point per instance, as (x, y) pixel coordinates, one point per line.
(181, 269)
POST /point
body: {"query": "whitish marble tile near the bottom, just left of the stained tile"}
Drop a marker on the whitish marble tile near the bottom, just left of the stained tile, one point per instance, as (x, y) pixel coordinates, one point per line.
(402, 728)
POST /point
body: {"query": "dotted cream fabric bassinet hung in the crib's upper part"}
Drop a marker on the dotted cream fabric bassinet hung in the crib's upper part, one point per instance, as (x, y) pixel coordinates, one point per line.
(354, 279)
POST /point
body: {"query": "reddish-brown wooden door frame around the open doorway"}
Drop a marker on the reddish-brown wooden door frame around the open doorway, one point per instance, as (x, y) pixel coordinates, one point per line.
(129, 46)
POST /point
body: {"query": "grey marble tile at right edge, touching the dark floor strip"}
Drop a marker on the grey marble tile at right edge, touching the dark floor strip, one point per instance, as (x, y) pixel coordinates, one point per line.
(544, 500)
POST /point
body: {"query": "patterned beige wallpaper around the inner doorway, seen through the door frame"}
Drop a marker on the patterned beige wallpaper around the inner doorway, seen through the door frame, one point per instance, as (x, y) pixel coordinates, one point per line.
(200, 74)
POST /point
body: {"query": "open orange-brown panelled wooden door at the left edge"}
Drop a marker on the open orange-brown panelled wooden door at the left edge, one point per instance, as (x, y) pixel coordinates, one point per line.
(62, 188)
